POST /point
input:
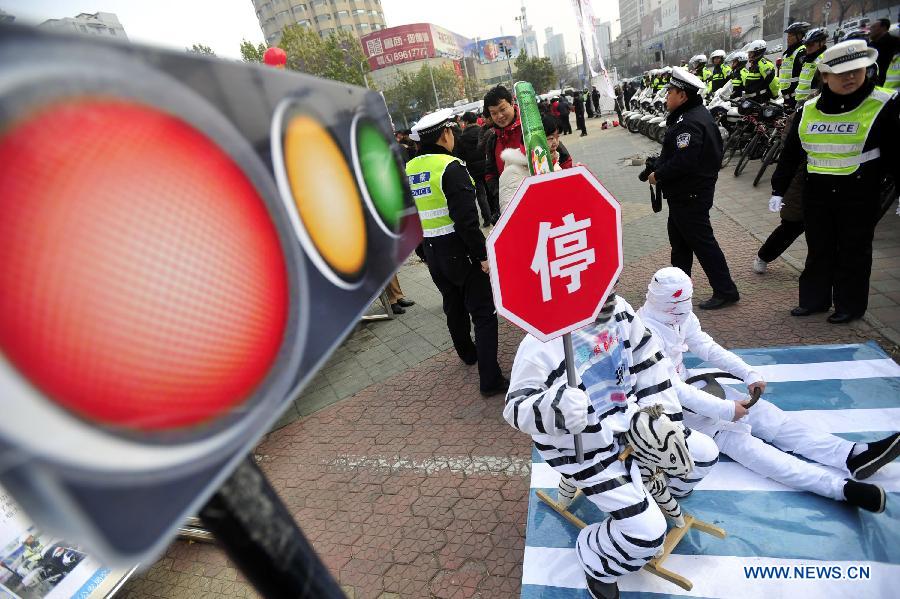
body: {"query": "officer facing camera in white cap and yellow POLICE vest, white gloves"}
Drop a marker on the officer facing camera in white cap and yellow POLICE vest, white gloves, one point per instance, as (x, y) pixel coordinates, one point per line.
(850, 138)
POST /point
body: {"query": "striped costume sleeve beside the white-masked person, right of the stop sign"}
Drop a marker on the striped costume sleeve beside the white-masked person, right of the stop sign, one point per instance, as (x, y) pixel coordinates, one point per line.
(653, 371)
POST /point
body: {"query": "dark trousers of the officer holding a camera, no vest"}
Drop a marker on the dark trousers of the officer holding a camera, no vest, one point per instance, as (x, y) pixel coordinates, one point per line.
(690, 232)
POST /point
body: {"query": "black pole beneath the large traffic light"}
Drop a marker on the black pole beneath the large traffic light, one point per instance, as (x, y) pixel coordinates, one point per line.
(260, 536)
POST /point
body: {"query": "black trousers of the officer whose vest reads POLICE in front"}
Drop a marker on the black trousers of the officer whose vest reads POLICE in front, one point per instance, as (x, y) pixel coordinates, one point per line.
(839, 234)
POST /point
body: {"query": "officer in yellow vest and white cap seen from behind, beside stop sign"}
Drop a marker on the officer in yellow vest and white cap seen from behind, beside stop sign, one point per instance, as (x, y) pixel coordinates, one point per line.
(454, 246)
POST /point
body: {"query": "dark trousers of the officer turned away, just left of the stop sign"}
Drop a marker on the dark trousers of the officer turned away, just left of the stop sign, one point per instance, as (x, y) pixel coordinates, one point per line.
(466, 291)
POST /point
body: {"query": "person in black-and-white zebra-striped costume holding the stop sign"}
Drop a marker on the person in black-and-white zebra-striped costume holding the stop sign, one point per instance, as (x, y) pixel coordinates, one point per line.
(621, 369)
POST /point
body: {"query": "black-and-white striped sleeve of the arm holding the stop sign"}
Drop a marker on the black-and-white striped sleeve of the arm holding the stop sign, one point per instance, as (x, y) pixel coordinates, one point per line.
(535, 390)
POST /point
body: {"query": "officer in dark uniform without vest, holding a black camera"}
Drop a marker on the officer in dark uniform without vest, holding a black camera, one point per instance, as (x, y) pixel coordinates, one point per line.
(686, 172)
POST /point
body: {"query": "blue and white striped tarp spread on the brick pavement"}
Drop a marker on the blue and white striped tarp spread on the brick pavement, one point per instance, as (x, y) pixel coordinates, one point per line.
(850, 390)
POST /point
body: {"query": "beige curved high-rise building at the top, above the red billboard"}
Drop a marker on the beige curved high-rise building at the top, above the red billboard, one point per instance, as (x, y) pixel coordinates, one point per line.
(359, 17)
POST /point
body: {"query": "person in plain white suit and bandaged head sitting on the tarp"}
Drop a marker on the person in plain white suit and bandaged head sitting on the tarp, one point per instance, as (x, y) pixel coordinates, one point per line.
(758, 438)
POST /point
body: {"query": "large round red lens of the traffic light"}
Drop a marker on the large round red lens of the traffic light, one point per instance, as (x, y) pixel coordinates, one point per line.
(144, 284)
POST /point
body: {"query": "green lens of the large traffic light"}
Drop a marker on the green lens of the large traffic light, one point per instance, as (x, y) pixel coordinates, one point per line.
(382, 177)
